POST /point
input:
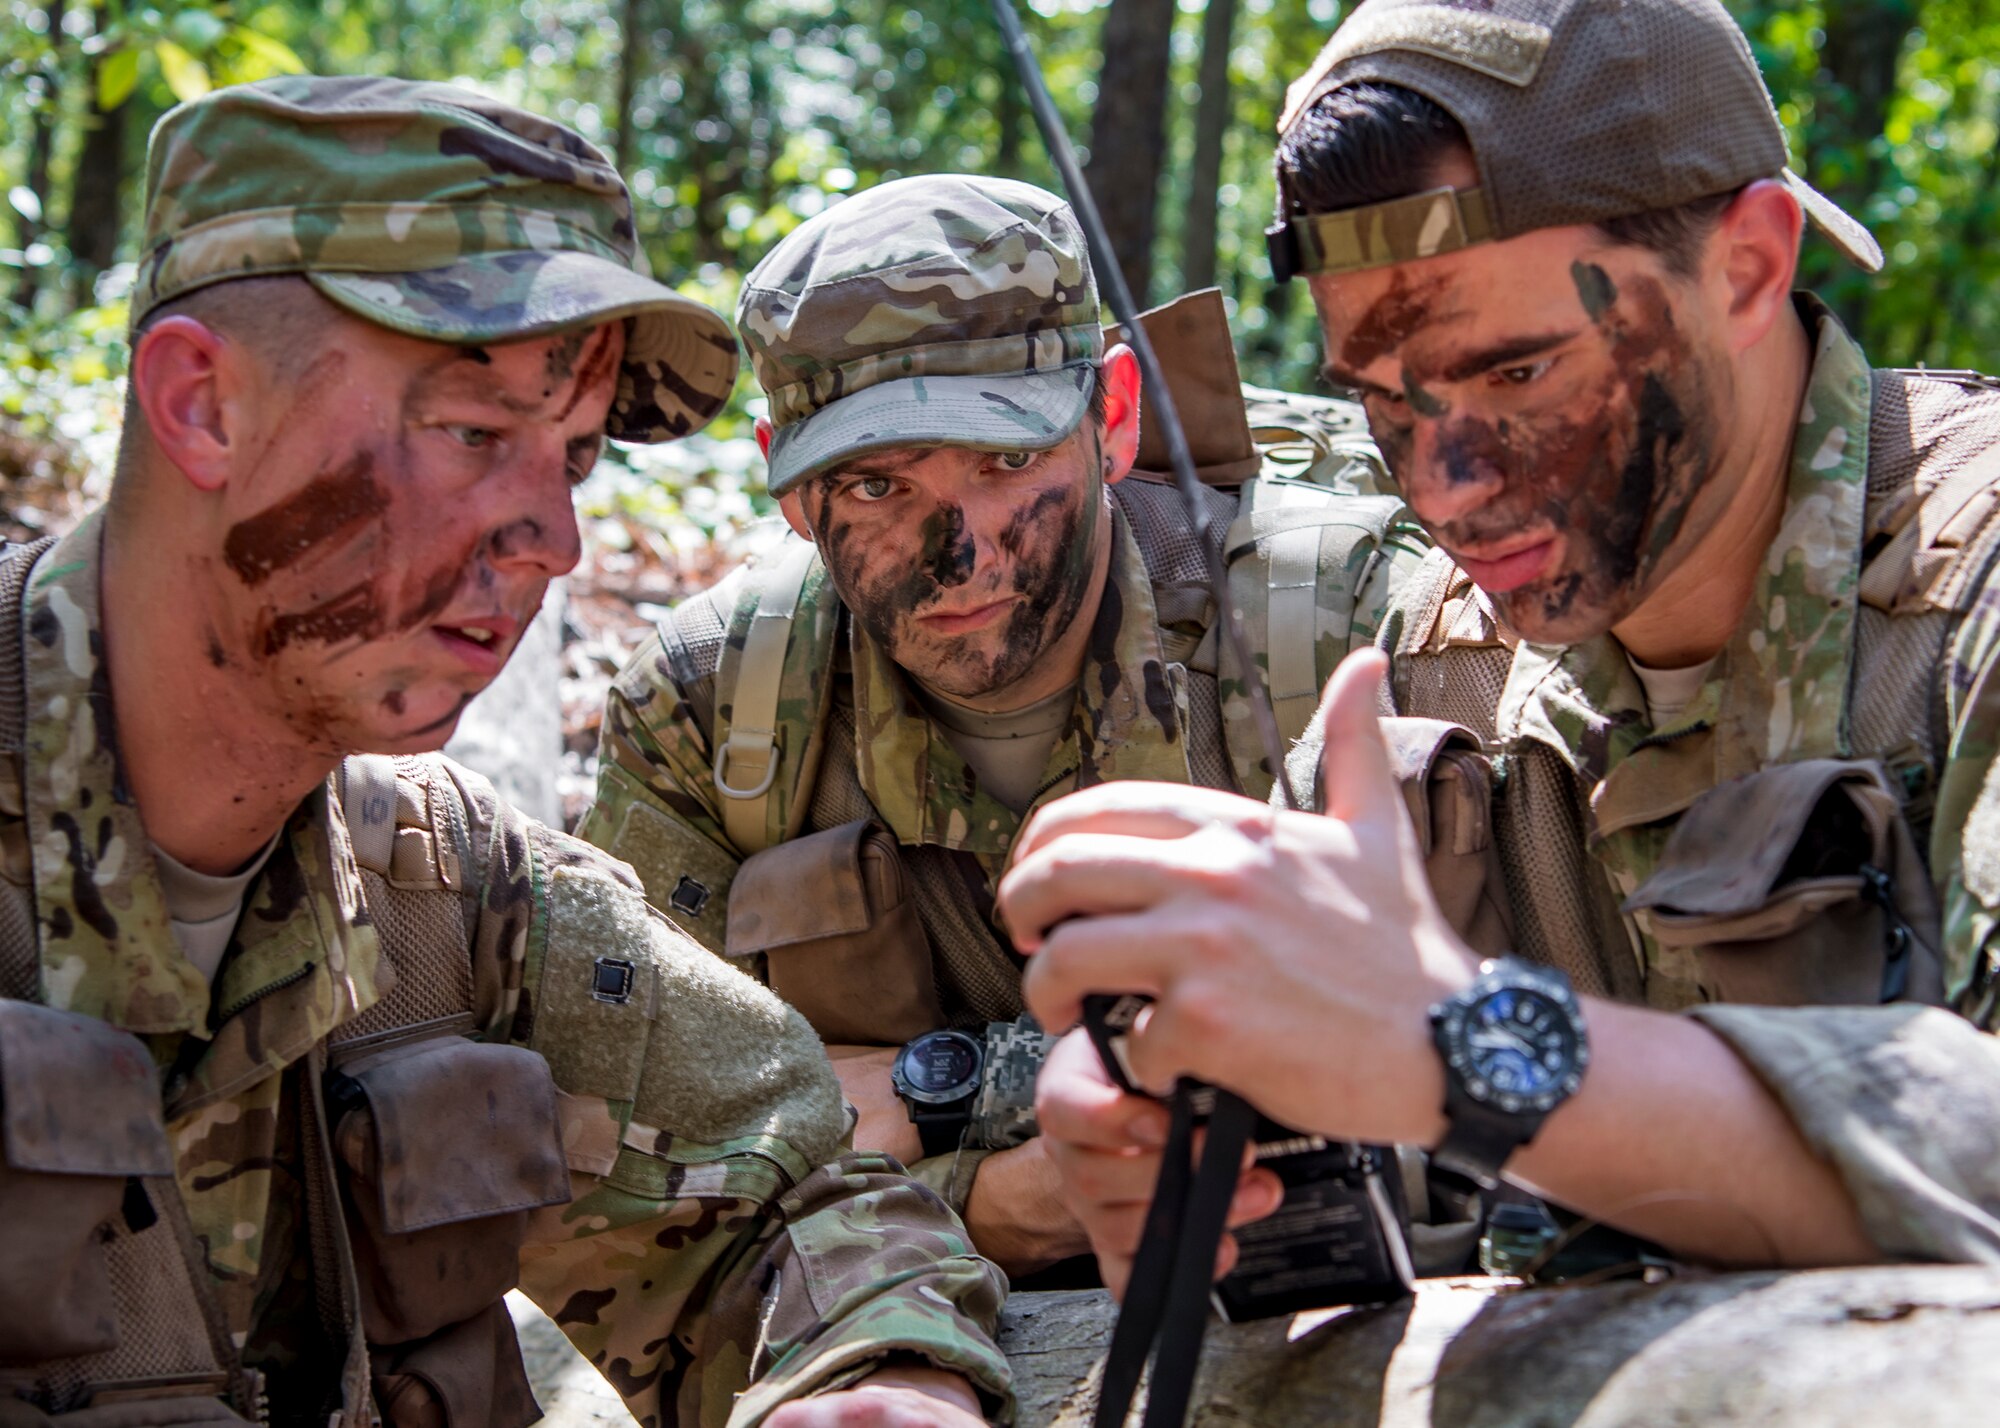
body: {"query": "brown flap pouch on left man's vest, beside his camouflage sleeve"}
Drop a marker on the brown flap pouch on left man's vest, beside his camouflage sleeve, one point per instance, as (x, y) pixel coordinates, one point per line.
(447, 1147)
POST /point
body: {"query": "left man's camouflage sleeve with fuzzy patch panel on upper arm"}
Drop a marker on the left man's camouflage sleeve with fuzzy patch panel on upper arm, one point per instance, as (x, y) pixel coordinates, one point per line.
(723, 1251)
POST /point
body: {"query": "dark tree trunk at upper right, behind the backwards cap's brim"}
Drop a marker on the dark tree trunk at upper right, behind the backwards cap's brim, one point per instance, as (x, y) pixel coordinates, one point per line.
(1851, 105)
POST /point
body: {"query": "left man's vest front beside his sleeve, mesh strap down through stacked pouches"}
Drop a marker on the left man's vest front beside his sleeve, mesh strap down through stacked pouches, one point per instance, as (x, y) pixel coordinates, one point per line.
(443, 1145)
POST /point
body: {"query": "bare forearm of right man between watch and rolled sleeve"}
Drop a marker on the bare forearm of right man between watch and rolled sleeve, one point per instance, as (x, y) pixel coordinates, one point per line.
(1675, 1139)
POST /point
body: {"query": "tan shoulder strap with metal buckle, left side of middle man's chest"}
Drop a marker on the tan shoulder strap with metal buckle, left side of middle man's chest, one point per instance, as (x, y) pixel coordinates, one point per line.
(771, 699)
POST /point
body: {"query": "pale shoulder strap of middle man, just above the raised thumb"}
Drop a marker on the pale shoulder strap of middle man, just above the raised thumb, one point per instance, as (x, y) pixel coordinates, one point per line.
(1311, 575)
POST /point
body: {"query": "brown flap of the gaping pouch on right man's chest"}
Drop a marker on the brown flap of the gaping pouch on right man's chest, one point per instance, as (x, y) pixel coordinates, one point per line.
(1731, 851)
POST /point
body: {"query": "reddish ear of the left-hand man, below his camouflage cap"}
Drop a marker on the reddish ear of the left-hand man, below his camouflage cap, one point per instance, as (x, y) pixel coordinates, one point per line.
(185, 385)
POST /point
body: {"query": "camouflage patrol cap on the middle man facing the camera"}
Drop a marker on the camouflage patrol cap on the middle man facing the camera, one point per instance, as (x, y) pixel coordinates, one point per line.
(941, 311)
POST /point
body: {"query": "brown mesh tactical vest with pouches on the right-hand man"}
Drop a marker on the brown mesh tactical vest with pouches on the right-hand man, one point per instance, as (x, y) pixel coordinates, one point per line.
(1799, 885)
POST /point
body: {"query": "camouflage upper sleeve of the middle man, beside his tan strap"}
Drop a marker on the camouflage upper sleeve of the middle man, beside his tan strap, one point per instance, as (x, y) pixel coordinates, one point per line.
(657, 801)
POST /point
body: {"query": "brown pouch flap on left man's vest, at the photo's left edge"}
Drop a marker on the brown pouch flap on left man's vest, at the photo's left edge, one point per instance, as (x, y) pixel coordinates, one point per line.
(79, 1097)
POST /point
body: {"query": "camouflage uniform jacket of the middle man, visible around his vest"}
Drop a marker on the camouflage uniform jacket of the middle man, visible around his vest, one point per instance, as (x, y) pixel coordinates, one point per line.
(1149, 705)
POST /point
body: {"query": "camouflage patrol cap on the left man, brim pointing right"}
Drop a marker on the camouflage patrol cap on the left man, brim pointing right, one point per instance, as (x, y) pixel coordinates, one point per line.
(431, 211)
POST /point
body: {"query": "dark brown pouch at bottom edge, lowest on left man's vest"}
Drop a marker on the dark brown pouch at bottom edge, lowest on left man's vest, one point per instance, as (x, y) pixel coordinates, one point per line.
(469, 1375)
